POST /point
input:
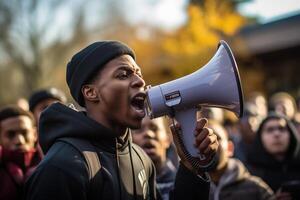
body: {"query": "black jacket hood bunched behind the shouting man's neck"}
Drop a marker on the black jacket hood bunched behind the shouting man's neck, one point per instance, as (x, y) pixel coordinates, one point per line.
(59, 121)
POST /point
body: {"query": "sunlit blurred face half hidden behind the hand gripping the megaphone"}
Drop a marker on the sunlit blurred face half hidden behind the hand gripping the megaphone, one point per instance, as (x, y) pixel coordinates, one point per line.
(226, 147)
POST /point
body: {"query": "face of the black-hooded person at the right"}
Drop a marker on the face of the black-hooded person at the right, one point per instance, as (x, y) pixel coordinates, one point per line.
(275, 137)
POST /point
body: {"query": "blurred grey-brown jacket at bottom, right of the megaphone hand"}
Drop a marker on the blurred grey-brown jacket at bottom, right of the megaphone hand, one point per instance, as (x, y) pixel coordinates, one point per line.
(237, 183)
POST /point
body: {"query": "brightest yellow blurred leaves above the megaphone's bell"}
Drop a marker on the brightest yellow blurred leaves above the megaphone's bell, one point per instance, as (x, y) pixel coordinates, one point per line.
(206, 25)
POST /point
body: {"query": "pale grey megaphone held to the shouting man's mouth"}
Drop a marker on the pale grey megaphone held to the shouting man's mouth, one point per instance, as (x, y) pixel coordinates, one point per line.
(217, 84)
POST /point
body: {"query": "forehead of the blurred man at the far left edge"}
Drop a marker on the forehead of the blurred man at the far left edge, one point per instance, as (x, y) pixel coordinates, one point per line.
(18, 121)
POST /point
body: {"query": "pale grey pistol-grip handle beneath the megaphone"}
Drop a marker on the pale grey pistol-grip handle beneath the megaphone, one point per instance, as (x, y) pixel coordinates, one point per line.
(187, 119)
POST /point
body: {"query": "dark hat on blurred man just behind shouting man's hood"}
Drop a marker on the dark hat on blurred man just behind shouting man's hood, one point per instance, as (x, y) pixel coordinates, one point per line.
(50, 93)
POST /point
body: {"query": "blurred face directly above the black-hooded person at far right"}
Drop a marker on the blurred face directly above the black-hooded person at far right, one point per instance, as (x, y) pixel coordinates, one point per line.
(286, 107)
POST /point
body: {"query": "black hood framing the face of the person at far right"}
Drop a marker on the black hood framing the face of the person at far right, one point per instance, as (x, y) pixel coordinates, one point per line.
(259, 155)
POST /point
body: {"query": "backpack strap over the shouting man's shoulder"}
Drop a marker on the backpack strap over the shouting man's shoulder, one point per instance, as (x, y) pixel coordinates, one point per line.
(89, 152)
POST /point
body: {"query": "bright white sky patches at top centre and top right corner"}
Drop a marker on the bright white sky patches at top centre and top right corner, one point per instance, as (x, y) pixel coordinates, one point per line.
(171, 13)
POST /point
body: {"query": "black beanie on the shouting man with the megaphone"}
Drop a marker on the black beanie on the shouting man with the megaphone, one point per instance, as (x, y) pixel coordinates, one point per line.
(89, 61)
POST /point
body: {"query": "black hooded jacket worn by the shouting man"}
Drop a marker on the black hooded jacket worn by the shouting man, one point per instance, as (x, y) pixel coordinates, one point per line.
(126, 171)
